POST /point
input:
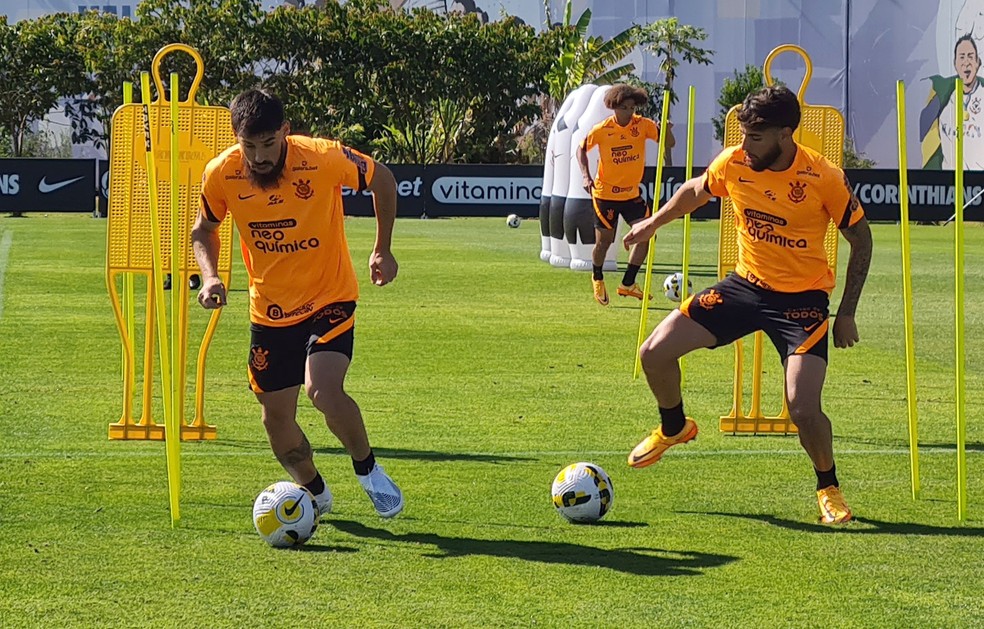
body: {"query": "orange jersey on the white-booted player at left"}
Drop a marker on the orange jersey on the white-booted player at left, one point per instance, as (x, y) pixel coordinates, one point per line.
(292, 235)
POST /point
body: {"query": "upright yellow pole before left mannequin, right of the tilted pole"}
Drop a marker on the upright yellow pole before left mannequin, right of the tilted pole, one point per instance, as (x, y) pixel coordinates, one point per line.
(172, 433)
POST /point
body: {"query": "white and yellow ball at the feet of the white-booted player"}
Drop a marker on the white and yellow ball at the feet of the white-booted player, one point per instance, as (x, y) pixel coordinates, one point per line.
(285, 515)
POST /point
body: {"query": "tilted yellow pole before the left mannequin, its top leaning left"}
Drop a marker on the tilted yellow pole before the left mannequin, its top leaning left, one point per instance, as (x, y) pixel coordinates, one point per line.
(157, 277)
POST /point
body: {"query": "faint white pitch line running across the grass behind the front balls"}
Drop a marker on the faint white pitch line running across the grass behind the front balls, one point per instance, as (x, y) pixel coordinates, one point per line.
(466, 455)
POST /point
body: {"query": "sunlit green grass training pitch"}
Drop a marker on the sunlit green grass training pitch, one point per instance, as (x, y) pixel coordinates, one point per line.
(481, 372)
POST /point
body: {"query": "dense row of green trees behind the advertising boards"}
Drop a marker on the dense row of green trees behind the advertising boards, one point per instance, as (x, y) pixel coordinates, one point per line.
(357, 70)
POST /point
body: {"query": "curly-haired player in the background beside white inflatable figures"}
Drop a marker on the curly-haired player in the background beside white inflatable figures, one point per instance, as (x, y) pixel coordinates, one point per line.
(621, 141)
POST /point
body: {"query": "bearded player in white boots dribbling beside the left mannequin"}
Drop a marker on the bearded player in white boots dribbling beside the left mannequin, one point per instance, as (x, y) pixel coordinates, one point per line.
(285, 194)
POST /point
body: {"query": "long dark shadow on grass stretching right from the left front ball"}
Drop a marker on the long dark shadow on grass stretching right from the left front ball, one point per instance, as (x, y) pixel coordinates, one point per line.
(640, 561)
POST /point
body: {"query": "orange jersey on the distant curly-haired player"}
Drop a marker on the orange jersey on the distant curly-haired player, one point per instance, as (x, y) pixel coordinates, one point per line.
(622, 156)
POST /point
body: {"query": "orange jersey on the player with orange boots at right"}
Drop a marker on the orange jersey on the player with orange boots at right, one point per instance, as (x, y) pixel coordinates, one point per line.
(782, 217)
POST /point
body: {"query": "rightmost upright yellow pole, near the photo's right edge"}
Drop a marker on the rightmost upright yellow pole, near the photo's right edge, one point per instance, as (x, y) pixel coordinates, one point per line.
(958, 307)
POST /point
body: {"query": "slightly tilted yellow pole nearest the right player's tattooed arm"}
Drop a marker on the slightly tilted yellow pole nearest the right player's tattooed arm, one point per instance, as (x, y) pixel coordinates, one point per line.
(910, 344)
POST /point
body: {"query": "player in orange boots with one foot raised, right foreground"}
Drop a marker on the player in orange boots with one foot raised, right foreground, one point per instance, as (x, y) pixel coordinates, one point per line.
(785, 196)
